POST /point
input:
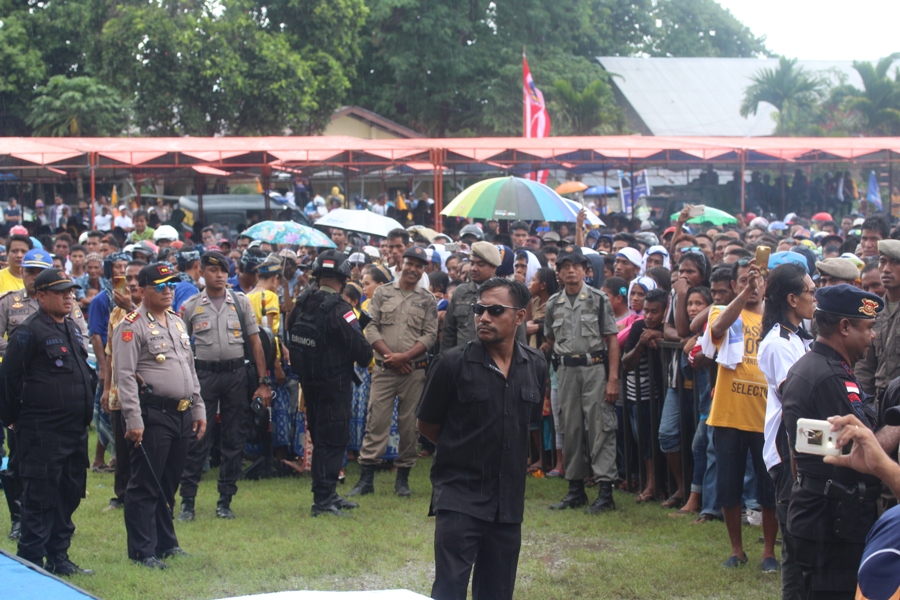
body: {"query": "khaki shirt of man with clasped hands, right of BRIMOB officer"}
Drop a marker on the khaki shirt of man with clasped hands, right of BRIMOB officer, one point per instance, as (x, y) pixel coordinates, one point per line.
(401, 319)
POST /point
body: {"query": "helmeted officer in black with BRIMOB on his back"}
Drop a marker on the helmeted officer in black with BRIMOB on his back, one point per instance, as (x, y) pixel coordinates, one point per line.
(325, 340)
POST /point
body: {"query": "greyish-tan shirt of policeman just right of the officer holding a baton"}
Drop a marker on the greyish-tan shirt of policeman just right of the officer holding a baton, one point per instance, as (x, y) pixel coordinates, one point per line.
(217, 332)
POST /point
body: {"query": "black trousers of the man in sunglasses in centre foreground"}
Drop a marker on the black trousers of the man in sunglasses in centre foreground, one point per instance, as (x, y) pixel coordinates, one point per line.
(461, 541)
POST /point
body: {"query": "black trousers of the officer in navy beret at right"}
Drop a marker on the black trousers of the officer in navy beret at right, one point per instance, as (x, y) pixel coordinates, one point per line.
(830, 571)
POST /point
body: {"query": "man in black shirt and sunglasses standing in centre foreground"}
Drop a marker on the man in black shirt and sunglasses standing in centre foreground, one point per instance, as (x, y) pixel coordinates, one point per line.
(482, 395)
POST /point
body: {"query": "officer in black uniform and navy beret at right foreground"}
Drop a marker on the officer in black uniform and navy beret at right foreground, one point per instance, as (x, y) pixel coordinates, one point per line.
(831, 508)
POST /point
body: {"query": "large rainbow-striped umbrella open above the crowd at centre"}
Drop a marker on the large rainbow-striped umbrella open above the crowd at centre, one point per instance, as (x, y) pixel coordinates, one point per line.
(512, 199)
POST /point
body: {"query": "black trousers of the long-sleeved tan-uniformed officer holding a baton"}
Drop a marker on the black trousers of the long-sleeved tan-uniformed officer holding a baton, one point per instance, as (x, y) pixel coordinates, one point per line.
(148, 521)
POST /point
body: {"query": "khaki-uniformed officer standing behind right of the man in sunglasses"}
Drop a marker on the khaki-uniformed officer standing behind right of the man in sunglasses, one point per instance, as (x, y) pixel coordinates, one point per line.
(580, 327)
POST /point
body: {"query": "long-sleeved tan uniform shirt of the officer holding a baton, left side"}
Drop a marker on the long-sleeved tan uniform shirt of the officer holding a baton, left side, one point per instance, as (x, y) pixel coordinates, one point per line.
(138, 343)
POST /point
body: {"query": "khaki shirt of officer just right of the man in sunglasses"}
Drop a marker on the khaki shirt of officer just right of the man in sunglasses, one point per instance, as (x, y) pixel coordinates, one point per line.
(576, 328)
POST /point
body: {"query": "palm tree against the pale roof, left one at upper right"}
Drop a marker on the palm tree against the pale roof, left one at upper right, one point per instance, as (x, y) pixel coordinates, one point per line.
(790, 89)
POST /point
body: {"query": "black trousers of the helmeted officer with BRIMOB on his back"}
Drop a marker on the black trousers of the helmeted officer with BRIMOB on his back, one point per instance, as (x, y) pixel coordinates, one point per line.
(329, 427)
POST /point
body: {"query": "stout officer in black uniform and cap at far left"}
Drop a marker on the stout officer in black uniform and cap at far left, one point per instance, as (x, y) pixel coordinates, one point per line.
(47, 392)
